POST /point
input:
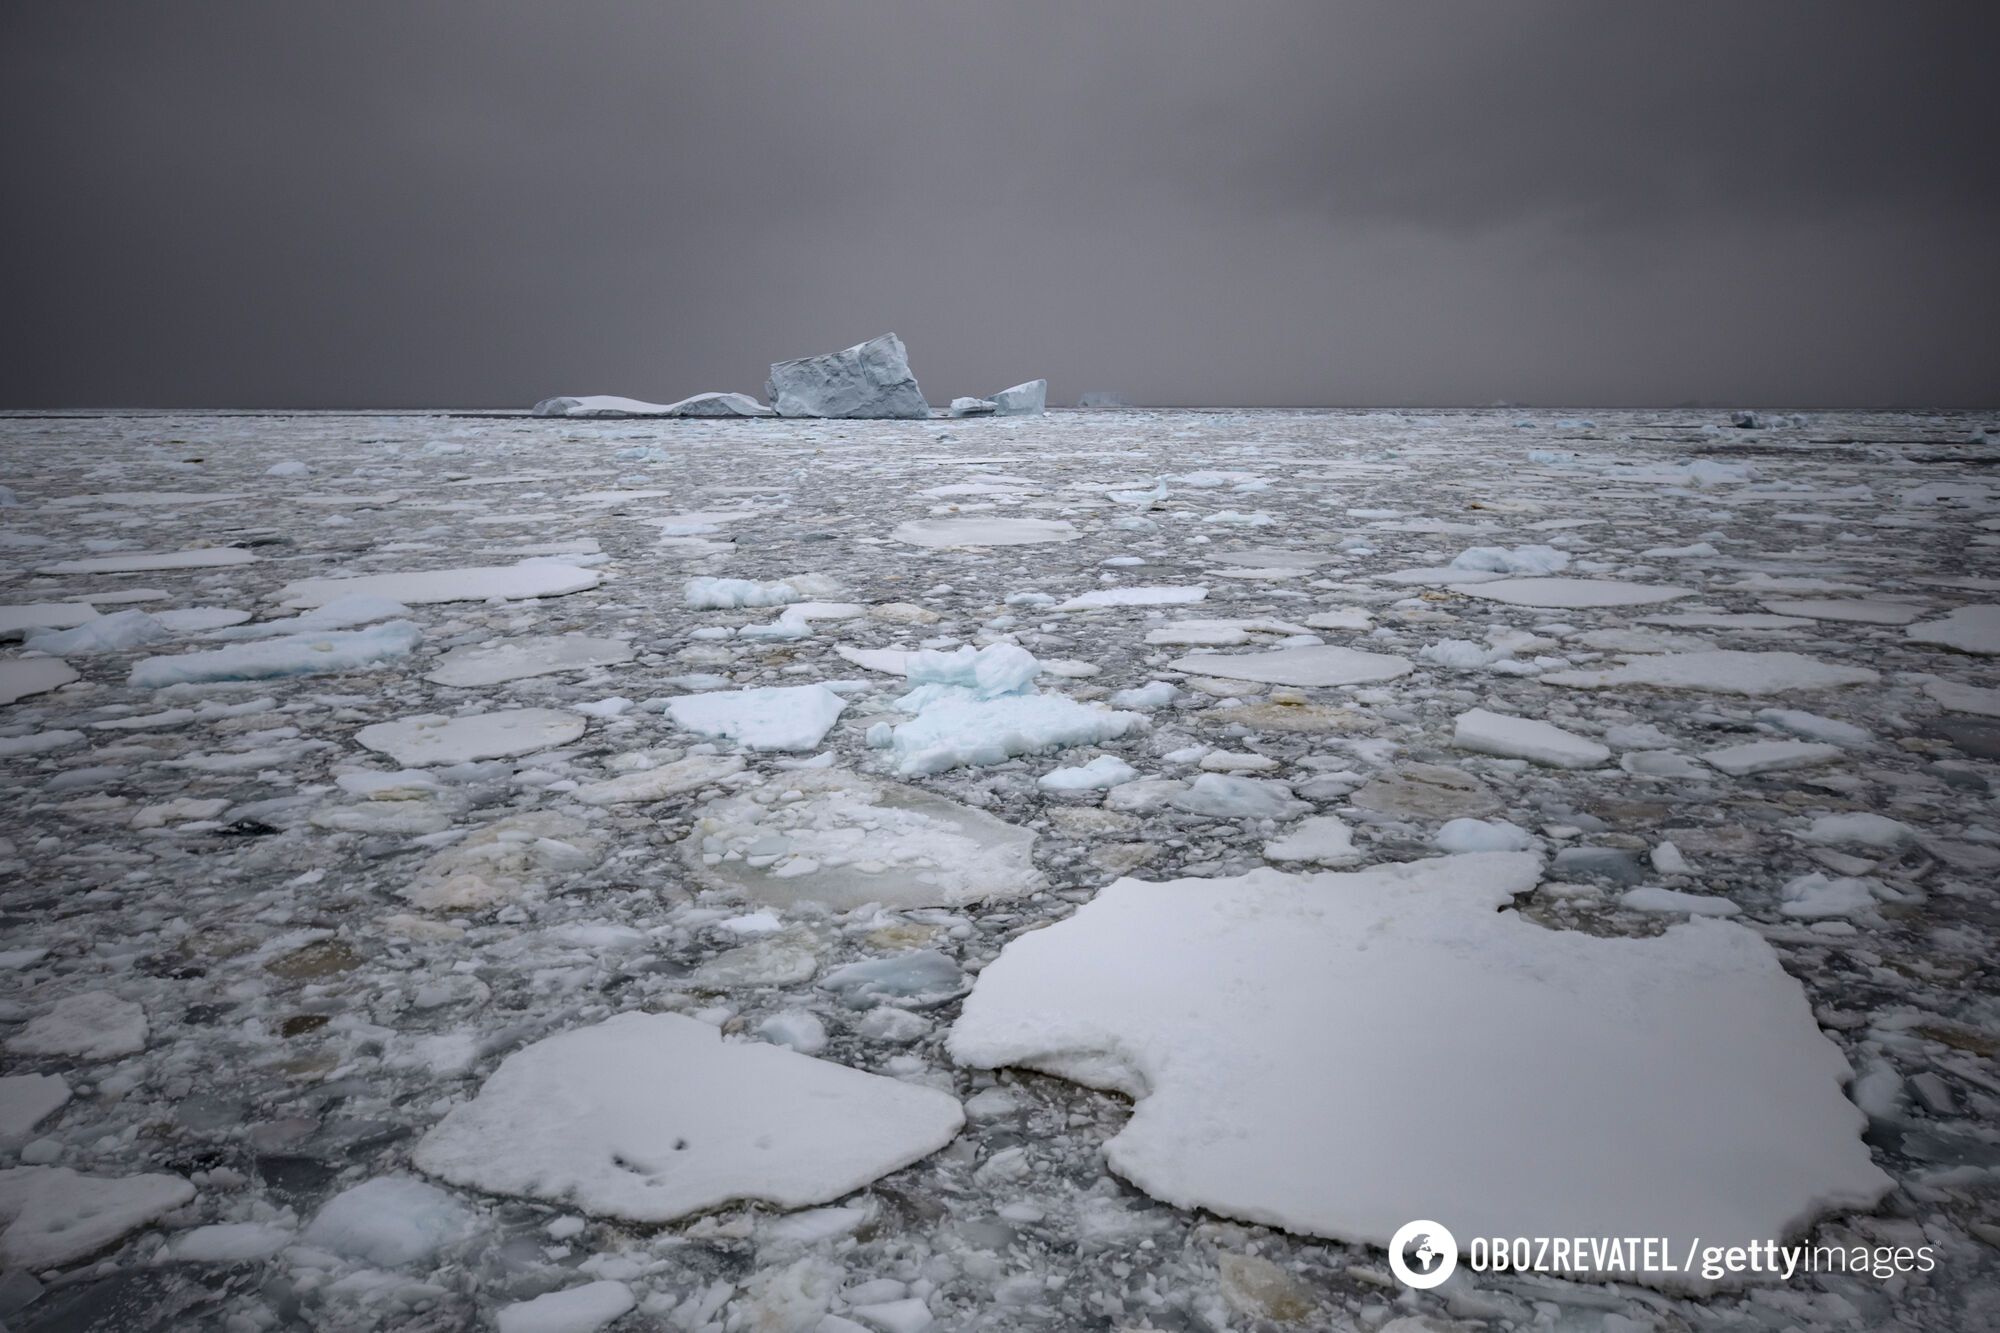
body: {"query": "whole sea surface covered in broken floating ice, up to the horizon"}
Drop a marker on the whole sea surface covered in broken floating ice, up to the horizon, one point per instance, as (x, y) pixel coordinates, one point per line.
(425, 746)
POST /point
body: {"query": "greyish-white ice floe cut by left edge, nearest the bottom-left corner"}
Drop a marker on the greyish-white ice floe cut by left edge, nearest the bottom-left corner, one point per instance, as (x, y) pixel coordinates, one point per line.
(55, 1216)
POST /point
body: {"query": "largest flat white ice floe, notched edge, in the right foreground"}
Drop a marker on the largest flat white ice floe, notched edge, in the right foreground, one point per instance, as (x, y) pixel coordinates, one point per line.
(1545, 1082)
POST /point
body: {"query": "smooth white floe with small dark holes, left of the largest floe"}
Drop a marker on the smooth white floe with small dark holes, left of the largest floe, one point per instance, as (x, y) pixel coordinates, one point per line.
(651, 1118)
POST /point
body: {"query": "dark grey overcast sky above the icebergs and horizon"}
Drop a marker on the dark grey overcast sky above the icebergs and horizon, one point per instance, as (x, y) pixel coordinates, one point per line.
(1225, 203)
